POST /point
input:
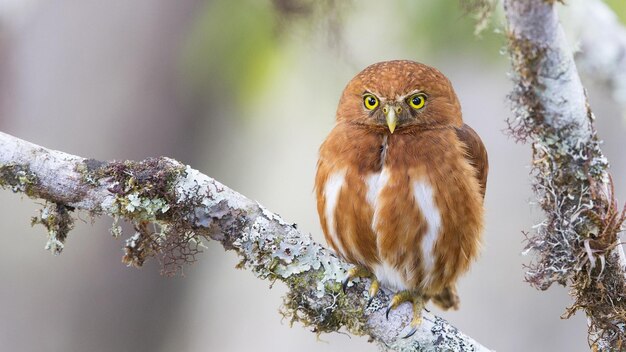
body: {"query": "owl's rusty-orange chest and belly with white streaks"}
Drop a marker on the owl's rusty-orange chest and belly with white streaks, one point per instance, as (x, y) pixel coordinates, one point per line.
(408, 198)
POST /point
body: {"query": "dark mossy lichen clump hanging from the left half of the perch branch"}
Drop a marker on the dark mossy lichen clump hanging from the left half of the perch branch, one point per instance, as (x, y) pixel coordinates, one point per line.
(145, 196)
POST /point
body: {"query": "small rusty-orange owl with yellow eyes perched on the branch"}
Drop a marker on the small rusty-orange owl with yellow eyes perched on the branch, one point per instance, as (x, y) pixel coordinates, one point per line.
(400, 184)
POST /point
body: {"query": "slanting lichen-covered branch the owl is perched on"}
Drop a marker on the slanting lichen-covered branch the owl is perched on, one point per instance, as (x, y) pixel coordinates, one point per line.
(174, 208)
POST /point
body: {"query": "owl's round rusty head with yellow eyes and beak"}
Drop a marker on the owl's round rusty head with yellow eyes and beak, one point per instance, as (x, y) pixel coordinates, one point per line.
(397, 95)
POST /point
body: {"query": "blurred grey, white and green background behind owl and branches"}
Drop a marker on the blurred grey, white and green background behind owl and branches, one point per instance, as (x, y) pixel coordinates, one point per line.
(244, 91)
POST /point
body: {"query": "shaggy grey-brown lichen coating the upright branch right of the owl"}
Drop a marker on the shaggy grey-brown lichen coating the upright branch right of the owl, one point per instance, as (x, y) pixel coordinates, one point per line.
(573, 245)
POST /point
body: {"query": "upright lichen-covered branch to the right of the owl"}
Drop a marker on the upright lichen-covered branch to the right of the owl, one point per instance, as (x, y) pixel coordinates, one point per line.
(577, 244)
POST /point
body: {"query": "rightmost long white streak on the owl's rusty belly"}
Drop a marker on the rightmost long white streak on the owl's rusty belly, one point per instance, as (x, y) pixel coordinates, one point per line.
(423, 194)
